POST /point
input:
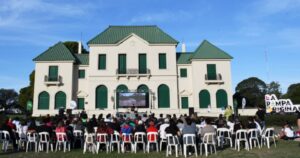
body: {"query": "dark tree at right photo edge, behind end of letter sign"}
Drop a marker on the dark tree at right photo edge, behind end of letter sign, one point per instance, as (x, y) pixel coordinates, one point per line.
(293, 93)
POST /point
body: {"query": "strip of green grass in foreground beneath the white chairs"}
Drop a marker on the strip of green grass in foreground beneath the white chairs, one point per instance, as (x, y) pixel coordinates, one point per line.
(284, 149)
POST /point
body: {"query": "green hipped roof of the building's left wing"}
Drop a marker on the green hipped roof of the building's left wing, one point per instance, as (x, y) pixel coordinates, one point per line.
(58, 52)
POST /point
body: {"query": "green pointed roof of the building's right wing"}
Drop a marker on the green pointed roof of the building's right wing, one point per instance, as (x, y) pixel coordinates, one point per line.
(206, 50)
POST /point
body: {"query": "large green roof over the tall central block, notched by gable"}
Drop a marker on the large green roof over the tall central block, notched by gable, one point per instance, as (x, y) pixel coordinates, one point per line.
(151, 33)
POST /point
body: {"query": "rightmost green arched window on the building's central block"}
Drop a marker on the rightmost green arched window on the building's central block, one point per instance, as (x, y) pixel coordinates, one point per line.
(163, 96)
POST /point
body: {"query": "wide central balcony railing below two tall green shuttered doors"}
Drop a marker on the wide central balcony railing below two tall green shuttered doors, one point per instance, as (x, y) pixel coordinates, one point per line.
(133, 73)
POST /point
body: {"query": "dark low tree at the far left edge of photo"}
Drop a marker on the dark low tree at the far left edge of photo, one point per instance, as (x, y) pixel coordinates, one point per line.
(8, 97)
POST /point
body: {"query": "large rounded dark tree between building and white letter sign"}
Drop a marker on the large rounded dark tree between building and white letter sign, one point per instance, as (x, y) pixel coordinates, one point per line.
(253, 89)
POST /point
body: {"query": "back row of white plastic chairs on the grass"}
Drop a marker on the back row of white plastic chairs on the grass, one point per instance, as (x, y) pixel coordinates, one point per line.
(92, 142)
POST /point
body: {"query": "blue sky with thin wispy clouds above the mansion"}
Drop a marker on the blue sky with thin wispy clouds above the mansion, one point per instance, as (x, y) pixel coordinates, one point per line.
(248, 30)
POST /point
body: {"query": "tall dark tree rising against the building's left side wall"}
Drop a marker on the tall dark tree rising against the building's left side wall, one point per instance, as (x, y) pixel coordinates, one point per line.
(26, 93)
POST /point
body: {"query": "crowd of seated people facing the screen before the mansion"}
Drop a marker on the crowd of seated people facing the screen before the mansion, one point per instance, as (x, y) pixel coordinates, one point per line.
(168, 124)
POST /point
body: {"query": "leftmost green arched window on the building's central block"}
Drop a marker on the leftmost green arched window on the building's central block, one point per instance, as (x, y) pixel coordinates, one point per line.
(101, 97)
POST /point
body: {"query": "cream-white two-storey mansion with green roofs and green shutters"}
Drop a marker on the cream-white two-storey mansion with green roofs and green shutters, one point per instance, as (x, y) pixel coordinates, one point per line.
(133, 58)
